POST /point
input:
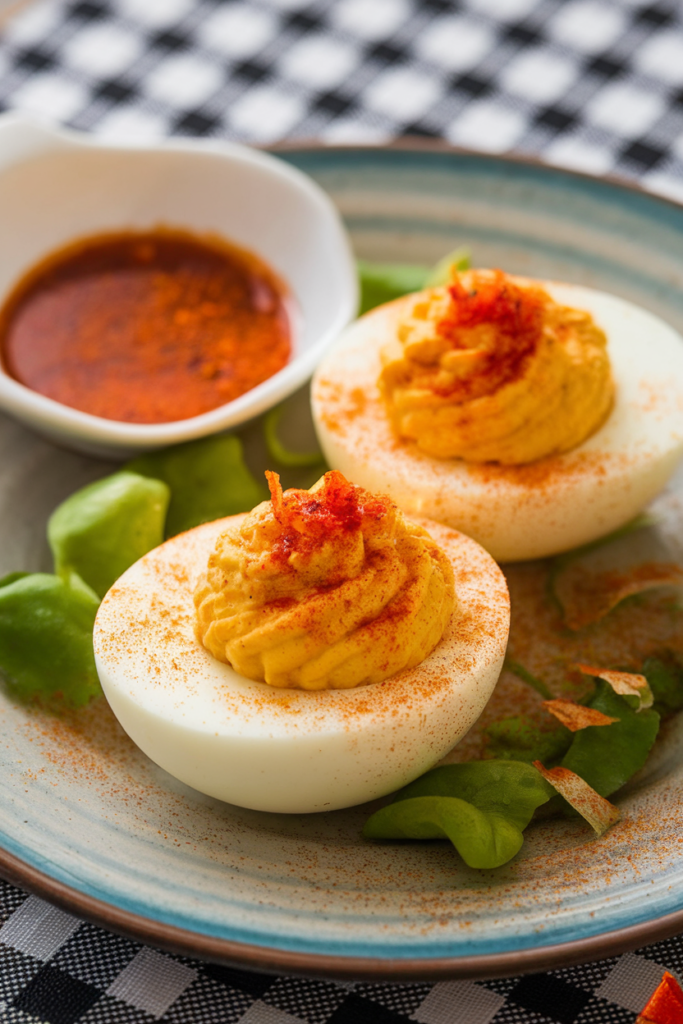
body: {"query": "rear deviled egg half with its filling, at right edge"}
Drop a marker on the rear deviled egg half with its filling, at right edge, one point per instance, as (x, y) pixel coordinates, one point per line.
(533, 416)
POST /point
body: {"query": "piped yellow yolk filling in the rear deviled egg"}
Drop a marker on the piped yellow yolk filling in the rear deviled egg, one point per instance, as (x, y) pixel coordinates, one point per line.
(490, 369)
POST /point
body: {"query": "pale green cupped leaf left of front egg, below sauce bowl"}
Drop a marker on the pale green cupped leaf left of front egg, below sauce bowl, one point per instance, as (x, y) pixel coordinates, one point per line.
(103, 529)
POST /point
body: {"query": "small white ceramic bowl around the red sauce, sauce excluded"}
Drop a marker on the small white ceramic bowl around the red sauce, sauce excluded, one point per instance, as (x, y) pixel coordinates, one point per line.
(58, 186)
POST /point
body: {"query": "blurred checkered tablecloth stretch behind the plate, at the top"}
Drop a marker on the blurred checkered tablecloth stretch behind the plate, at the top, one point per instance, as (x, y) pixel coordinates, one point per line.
(592, 84)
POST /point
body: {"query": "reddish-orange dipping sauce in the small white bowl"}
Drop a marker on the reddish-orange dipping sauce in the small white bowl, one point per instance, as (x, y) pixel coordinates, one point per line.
(147, 327)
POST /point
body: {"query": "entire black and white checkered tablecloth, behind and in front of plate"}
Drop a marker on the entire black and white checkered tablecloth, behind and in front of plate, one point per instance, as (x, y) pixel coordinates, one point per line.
(595, 86)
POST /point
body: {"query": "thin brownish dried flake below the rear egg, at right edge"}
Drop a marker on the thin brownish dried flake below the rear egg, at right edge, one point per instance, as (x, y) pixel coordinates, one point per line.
(590, 582)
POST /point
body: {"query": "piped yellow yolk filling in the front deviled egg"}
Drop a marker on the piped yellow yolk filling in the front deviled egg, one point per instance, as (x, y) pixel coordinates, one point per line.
(328, 588)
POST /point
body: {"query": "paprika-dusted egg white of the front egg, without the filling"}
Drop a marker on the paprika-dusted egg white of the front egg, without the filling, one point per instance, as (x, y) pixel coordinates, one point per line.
(285, 750)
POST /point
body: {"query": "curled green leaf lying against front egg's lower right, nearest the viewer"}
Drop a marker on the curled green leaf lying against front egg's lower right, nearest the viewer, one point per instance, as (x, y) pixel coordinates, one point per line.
(482, 807)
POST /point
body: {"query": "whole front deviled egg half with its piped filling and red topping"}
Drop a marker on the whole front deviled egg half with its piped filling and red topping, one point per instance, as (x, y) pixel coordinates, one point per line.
(315, 654)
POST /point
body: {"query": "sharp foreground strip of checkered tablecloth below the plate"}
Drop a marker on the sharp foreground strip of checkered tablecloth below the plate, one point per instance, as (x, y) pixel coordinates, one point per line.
(56, 970)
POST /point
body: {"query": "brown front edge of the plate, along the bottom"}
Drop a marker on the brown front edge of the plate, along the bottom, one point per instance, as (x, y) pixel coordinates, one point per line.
(266, 959)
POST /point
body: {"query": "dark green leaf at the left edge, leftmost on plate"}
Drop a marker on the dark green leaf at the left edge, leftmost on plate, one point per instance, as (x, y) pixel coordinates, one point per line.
(47, 639)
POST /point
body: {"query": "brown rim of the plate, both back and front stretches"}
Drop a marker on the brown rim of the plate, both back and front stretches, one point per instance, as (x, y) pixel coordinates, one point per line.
(410, 969)
